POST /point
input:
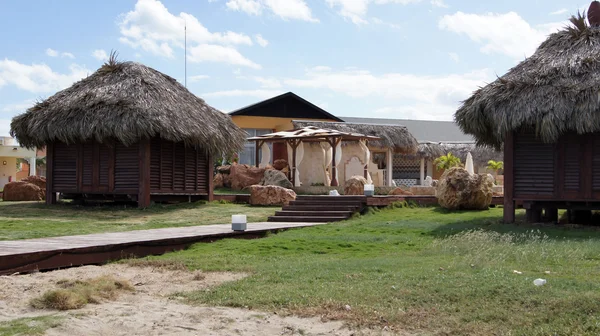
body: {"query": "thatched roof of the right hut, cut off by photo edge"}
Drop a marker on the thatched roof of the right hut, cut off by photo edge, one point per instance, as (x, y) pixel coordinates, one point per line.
(554, 91)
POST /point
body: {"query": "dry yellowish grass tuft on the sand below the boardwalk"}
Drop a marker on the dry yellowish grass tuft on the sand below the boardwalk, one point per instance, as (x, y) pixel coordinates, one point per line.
(74, 294)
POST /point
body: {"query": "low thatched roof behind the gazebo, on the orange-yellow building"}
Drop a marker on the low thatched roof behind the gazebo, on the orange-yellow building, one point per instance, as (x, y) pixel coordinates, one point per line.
(391, 136)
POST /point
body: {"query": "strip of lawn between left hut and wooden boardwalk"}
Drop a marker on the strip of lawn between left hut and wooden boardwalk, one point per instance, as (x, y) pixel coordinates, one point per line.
(23, 220)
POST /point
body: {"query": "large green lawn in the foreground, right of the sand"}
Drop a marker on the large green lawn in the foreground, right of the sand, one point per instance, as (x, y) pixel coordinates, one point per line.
(422, 270)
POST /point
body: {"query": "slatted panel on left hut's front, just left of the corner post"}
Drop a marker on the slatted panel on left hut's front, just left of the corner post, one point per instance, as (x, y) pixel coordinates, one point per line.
(126, 167)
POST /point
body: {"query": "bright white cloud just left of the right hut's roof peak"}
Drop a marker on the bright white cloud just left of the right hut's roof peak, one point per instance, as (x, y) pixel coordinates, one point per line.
(507, 34)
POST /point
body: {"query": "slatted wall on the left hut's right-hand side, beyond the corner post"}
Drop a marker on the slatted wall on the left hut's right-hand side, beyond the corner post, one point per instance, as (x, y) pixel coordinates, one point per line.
(177, 169)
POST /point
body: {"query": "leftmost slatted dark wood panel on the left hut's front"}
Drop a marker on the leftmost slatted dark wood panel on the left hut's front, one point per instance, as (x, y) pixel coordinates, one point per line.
(64, 167)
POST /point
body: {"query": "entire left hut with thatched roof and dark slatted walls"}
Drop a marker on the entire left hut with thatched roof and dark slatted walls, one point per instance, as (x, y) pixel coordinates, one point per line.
(128, 131)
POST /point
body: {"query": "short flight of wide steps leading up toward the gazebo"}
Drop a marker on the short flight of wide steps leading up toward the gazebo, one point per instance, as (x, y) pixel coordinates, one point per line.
(312, 209)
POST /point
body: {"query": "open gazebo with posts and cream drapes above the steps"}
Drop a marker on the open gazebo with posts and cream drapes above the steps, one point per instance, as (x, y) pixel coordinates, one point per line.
(325, 137)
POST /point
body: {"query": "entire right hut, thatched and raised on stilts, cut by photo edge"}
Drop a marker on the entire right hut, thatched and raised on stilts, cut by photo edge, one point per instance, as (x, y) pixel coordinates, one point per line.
(546, 113)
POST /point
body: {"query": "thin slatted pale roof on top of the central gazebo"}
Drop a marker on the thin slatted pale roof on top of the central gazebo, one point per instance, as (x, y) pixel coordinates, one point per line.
(312, 134)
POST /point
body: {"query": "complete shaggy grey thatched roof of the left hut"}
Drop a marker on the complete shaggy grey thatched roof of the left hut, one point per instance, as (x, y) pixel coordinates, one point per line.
(127, 102)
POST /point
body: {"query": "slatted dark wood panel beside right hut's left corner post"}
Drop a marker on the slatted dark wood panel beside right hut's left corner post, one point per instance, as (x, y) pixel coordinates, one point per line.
(533, 166)
